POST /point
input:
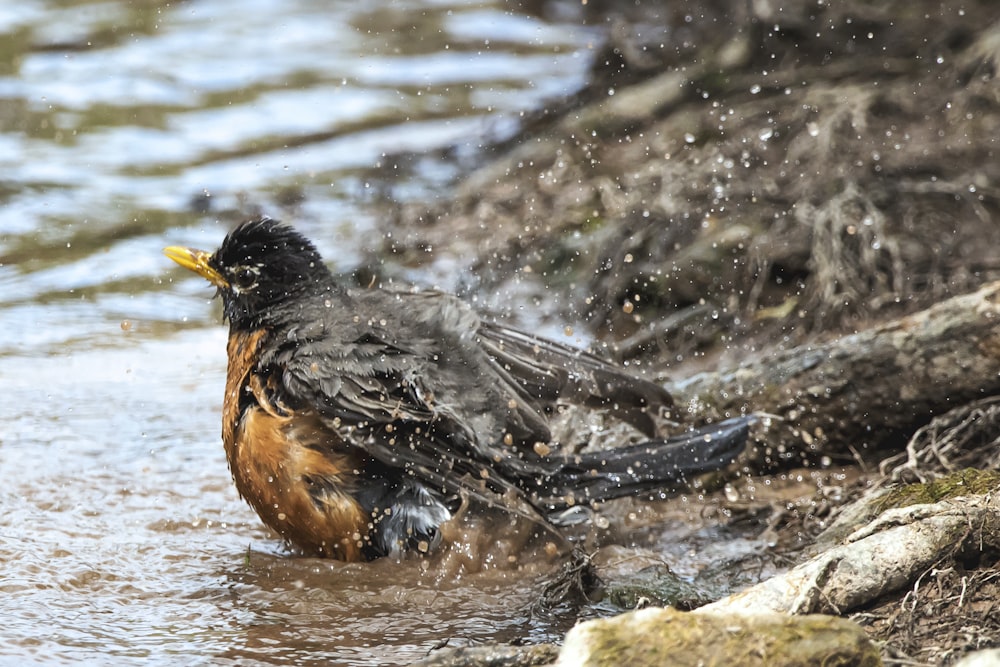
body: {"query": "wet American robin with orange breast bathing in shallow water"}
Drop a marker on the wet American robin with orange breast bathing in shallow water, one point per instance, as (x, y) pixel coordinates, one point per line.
(356, 421)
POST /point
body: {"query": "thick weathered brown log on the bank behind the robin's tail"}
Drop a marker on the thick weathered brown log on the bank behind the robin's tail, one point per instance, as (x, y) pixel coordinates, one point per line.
(868, 392)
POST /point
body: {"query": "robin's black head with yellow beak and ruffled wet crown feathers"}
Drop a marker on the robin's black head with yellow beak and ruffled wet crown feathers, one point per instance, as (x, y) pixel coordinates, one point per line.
(260, 266)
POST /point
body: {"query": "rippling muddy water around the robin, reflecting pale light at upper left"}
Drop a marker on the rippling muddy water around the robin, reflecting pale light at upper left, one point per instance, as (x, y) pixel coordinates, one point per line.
(127, 126)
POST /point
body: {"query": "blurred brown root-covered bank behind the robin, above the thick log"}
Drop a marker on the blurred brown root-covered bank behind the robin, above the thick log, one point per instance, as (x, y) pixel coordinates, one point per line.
(802, 176)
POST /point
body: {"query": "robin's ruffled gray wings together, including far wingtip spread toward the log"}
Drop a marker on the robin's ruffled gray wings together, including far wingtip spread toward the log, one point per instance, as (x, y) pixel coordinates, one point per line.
(419, 383)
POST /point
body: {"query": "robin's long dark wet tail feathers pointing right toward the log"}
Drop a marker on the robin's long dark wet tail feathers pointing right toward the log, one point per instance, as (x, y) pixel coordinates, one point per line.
(656, 465)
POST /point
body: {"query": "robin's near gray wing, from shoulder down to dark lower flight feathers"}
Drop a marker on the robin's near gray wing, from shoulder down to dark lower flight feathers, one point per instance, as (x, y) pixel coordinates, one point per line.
(404, 380)
